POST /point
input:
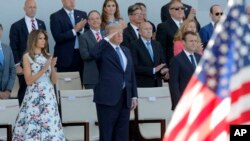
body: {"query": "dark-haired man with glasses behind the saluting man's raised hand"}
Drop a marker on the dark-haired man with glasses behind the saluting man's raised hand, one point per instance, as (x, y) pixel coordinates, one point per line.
(131, 32)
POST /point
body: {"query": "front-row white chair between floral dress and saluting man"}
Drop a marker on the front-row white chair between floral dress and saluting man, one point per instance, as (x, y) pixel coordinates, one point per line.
(77, 106)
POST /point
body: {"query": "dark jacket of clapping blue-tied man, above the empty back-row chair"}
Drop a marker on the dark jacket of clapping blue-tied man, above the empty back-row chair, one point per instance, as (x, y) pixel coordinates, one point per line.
(61, 29)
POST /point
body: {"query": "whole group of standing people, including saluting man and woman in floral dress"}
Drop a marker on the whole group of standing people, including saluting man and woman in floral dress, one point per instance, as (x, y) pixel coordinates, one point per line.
(102, 47)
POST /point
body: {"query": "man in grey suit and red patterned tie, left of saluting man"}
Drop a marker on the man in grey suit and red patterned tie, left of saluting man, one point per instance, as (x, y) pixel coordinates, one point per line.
(87, 41)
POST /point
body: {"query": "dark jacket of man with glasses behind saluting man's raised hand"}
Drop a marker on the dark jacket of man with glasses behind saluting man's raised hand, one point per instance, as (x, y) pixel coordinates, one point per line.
(129, 35)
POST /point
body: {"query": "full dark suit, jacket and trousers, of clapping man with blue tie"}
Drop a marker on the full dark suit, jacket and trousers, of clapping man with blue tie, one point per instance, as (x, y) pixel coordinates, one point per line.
(68, 58)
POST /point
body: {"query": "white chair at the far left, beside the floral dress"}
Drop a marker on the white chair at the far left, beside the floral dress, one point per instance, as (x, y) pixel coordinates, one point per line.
(9, 109)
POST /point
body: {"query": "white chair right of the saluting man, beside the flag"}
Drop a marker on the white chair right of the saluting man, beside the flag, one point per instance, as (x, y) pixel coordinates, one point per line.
(154, 112)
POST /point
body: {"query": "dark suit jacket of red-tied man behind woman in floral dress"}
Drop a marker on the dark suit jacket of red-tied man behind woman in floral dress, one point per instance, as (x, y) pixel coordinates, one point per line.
(18, 37)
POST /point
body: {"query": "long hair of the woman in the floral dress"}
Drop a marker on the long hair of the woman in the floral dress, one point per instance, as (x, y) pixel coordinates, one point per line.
(32, 43)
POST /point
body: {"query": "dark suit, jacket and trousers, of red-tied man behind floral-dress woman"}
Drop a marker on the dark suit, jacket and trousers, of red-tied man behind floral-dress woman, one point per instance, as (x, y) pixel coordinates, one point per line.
(18, 42)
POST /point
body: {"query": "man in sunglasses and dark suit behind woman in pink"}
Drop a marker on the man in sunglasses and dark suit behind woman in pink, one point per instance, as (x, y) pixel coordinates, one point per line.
(166, 30)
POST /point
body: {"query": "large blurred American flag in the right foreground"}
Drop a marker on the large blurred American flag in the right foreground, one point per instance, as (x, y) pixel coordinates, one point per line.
(218, 93)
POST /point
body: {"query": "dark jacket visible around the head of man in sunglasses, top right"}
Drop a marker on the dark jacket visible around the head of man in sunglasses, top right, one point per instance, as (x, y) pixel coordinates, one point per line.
(165, 13)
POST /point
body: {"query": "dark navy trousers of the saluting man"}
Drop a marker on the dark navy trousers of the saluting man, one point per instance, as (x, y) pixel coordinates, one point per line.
(114, 120)
